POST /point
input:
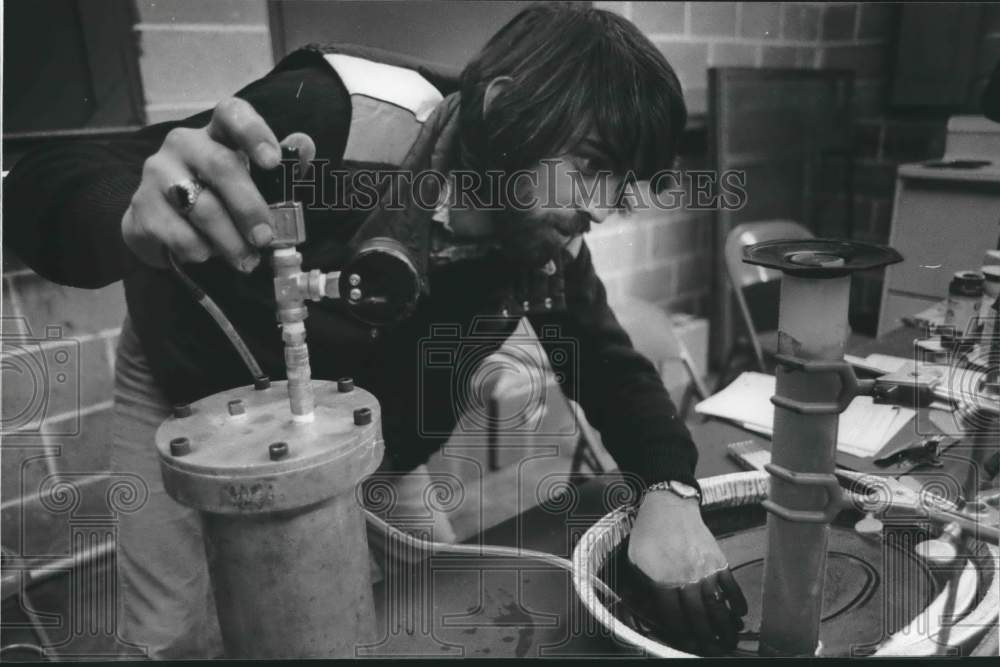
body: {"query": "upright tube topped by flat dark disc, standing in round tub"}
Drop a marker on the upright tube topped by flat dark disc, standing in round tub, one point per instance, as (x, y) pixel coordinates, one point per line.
(813, 386)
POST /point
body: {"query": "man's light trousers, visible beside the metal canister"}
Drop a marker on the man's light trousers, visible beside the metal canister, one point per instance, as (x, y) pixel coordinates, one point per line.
(166, 604)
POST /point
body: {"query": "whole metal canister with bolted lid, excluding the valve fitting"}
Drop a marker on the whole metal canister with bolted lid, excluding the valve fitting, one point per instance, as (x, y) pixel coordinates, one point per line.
(284, 534)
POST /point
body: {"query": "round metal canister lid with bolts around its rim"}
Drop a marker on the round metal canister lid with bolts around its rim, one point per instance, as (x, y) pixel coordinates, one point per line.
(257, 459)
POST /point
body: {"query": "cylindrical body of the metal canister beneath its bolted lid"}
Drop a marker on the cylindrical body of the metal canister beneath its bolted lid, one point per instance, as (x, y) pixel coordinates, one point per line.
(292, 584)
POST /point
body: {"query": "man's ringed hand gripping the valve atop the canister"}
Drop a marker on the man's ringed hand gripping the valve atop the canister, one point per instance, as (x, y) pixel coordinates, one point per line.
(229, 217)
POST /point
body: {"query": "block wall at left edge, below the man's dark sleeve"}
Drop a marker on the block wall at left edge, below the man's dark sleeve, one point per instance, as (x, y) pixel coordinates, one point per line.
(58, 349)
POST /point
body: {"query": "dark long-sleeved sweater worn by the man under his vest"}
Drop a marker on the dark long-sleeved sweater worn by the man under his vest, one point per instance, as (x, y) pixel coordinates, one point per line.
(63, 213)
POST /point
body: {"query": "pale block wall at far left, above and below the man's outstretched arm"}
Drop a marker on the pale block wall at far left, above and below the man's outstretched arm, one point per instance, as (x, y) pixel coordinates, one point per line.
(59, 342)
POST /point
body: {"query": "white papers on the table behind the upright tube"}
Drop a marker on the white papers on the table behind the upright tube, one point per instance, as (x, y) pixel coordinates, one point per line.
(864, 428)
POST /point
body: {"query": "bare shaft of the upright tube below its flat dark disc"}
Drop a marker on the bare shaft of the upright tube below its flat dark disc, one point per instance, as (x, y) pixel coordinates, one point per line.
(812, 326)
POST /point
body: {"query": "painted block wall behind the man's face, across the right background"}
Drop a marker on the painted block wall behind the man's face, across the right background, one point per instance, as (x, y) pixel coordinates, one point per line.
(666, 258)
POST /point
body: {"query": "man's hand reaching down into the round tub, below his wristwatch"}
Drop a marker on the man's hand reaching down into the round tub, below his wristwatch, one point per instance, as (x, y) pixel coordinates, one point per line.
(695, 597)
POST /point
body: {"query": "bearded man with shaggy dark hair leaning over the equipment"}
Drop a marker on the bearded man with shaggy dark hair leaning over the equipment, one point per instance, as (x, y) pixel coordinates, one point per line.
(563, 101)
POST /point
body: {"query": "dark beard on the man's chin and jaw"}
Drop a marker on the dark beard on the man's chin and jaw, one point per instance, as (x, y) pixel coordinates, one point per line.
(532, 239)
